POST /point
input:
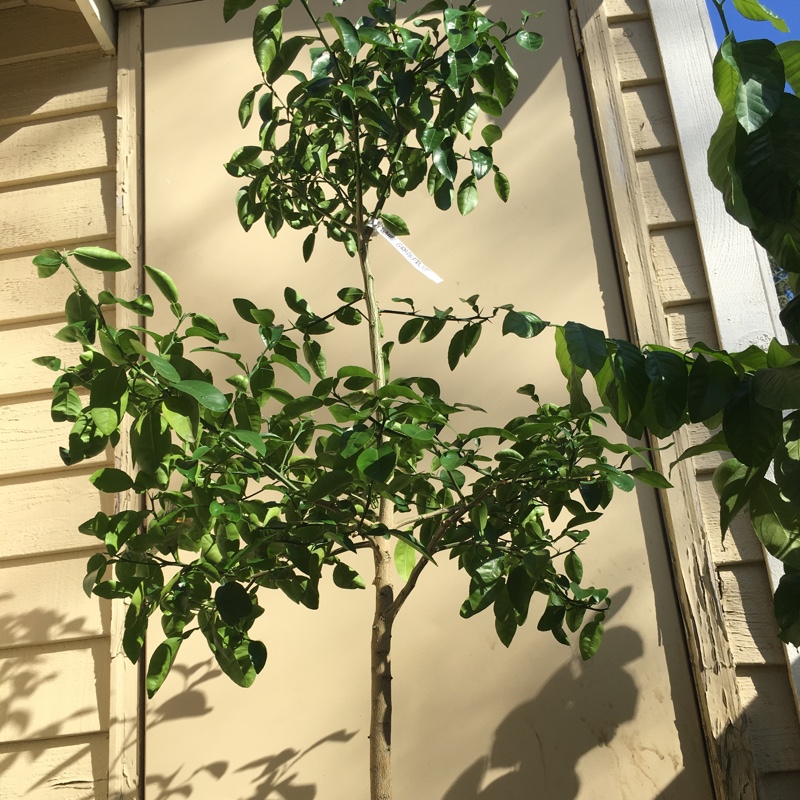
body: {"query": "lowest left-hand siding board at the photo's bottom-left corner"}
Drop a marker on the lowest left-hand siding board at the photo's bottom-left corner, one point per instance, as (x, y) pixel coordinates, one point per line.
(71, 769)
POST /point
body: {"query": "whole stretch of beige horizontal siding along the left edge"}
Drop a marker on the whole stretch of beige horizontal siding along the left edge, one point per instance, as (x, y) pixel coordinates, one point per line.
(57, 189)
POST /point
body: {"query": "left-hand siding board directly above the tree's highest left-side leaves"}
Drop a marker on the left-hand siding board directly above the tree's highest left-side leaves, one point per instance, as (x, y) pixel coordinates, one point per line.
(59, 211)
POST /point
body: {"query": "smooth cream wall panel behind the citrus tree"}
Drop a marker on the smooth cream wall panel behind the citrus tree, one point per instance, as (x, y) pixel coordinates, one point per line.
(472, 719)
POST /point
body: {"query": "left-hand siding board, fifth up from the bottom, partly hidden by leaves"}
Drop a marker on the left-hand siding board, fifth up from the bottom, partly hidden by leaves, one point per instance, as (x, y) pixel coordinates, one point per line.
(29, 440)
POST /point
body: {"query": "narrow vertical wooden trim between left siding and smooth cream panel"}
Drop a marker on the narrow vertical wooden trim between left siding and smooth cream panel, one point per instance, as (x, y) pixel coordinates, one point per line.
(124, 730)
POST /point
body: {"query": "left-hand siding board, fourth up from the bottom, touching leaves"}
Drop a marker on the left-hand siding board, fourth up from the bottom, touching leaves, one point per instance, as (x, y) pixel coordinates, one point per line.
(42, 516)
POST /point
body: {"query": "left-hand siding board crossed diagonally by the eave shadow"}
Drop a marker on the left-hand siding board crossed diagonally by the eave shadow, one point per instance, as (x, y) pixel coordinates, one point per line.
(58, 85)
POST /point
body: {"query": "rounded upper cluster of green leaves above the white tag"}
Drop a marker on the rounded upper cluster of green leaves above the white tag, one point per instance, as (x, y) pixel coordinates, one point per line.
(385, 107)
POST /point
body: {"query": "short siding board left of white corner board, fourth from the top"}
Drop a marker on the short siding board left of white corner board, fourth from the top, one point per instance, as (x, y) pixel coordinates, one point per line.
(666, 197)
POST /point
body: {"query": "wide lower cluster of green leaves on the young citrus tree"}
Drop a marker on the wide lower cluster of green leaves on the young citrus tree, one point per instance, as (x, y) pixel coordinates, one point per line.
(262, 486)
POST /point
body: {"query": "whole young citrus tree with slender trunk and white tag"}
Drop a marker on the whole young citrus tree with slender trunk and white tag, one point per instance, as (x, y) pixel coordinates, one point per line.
(261, 487)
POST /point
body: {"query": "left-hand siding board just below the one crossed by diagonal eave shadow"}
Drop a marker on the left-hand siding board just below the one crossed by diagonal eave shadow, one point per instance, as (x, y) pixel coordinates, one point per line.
(57, 147)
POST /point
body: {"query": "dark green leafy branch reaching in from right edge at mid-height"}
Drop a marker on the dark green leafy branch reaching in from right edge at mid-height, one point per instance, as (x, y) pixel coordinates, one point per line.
(750, 401)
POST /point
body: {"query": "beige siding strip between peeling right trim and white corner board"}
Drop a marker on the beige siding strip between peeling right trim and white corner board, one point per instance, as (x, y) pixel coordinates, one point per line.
(740, 582)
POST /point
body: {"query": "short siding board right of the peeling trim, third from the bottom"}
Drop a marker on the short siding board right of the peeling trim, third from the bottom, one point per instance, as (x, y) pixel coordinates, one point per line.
(747, 600)
